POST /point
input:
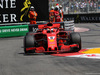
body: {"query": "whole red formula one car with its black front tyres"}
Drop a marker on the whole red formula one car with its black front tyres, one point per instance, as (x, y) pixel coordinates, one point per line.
(50, 38)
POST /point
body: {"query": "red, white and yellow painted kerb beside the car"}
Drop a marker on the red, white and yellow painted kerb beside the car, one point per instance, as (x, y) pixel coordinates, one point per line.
(93, 53)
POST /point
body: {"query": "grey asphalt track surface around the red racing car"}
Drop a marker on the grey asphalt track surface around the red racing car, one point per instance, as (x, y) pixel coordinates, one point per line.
(14, 62)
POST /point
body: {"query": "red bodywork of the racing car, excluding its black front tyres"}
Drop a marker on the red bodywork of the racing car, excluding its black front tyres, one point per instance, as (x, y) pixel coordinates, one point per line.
(53, 39)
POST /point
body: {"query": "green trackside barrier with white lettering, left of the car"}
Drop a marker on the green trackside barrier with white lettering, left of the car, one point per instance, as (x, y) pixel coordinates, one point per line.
(11, 31)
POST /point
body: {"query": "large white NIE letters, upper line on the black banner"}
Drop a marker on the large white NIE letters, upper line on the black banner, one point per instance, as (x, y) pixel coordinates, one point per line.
(7, 5)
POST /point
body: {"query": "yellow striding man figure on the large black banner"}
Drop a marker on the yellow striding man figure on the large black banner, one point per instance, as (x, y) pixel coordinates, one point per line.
(27, 5)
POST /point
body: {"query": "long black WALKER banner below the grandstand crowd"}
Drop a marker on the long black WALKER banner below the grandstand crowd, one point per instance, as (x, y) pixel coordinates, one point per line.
(83, 18)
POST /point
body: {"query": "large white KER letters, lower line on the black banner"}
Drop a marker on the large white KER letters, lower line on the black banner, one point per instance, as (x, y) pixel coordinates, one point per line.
(6, 17)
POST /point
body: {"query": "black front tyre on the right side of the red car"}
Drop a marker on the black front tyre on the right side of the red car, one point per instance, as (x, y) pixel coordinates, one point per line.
(75, 38)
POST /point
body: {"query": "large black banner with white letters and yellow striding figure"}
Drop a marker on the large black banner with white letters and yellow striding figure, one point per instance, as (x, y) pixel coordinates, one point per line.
(13, 11)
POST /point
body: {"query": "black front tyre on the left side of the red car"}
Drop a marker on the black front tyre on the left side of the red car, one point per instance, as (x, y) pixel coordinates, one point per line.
(29, 42)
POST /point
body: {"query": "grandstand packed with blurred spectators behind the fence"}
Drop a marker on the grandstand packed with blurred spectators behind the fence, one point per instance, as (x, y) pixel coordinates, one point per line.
(78, 6)
